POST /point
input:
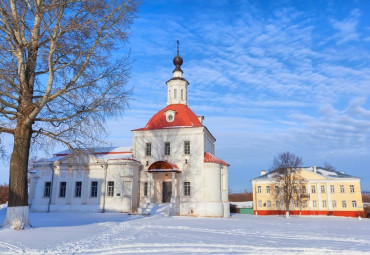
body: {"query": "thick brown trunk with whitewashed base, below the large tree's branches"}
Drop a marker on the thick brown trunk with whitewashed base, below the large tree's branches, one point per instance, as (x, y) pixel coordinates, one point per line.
(17, 211)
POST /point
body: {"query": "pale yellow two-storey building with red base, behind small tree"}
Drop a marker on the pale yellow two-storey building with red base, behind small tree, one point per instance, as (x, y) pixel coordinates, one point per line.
(325, 192)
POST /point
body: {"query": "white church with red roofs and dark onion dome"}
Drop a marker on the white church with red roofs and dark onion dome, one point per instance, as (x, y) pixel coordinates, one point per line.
(172, 161)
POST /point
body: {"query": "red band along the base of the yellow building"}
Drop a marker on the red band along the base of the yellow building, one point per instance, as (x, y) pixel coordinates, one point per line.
(308, 212)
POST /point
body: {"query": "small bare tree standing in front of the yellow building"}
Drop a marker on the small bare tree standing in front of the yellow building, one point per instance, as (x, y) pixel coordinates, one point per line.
(288, 182)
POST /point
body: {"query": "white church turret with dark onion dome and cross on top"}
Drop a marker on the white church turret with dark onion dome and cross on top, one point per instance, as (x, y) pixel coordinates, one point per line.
(177, 85)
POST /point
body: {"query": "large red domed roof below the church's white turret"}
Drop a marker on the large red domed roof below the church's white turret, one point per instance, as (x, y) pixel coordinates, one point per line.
(184, 117)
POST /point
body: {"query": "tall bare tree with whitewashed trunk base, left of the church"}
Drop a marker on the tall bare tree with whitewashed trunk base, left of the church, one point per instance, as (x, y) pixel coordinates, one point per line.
(58, 79)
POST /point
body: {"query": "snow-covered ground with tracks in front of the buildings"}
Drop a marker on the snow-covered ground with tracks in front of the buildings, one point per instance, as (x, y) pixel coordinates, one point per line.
(113, 233)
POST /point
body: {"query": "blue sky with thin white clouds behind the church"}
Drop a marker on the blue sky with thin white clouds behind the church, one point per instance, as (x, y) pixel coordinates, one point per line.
(269, 77)
